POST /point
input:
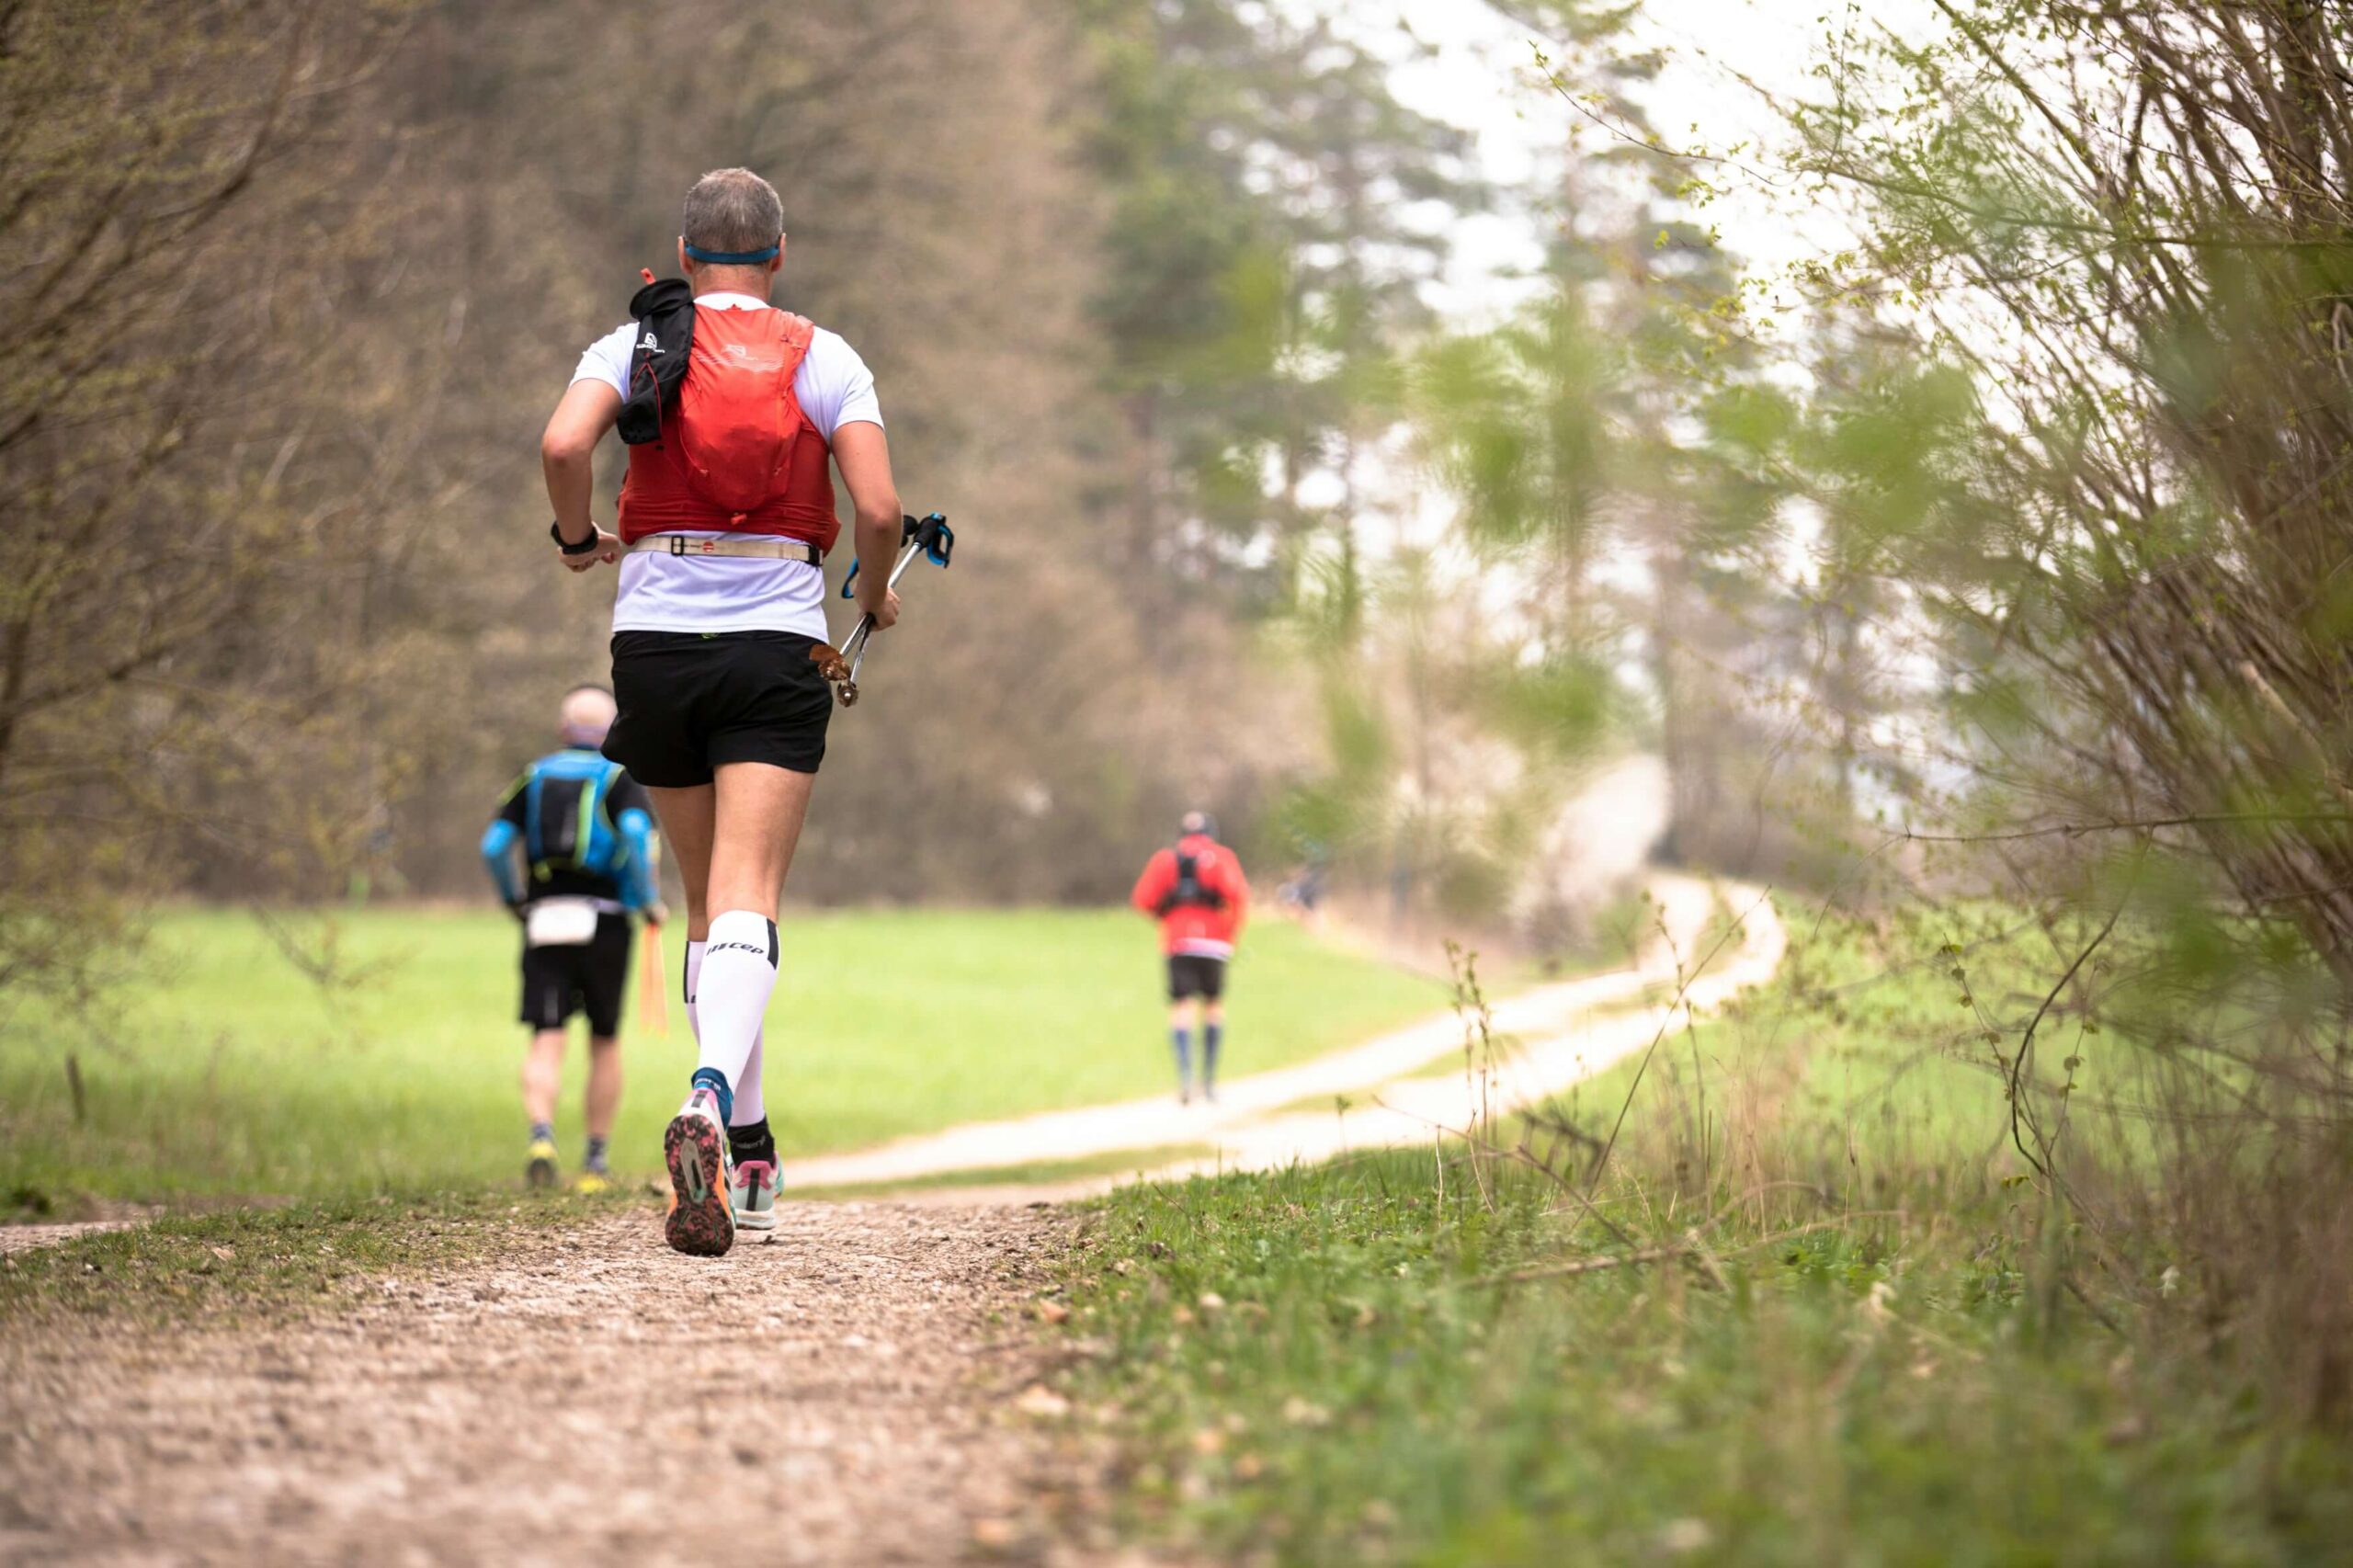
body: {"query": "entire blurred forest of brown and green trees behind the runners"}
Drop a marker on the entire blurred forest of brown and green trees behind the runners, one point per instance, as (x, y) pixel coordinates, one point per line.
(2015, 505)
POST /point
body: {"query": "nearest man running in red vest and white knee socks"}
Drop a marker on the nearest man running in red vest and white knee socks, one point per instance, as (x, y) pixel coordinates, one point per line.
(733, 411)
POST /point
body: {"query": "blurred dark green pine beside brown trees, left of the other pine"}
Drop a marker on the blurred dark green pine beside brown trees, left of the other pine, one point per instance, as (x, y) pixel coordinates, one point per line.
(1267, 253)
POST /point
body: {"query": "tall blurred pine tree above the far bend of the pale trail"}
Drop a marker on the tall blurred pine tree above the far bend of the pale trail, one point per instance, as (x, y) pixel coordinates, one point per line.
(1611, 423)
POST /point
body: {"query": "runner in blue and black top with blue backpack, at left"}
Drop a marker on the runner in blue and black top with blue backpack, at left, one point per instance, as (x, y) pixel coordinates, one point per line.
(587, 863)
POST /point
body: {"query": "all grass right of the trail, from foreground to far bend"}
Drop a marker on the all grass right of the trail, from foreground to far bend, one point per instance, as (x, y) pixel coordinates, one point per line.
(1872, 1353)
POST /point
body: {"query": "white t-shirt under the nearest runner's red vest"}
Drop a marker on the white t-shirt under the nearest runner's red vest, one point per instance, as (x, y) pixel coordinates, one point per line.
(733, 592)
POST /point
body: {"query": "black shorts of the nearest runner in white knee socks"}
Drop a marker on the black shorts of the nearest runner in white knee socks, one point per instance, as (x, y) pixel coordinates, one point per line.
(695, 700)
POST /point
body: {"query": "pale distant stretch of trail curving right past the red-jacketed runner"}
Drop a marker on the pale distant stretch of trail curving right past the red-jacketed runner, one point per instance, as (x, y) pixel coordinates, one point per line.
(1564, 1032)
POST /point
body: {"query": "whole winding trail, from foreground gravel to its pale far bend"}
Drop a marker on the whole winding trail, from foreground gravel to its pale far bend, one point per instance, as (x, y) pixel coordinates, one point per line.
(855, 1393)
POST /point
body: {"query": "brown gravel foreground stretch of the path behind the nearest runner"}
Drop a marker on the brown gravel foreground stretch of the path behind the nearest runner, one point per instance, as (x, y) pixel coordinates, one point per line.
(841, 1395)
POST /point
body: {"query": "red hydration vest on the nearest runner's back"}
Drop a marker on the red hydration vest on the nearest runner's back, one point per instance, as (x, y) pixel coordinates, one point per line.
(735, 456)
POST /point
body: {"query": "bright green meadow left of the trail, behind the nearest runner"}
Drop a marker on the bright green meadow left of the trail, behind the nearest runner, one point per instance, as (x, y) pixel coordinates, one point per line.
(227, 1070)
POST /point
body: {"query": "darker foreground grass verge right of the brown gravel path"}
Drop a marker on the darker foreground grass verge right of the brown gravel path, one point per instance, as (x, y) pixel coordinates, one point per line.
(1338, 1367)
